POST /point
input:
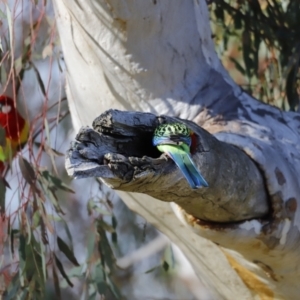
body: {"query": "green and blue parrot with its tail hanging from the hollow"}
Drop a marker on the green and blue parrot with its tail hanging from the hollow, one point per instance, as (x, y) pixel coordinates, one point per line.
(175, 139)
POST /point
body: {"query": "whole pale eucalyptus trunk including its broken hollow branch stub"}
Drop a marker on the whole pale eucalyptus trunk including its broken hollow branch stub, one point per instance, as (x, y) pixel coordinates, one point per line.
(158, 57)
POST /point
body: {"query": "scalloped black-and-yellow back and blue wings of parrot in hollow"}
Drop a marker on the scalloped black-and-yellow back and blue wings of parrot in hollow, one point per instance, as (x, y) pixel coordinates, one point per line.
(173, 134)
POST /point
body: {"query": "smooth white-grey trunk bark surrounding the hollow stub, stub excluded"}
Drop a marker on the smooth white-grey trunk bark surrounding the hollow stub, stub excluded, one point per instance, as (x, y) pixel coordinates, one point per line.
(157, 56)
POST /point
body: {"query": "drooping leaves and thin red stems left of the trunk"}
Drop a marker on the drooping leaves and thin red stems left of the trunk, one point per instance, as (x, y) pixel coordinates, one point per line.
(35, 239)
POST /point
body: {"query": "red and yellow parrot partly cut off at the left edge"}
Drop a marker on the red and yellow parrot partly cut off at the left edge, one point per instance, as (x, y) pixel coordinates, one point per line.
(14, 131)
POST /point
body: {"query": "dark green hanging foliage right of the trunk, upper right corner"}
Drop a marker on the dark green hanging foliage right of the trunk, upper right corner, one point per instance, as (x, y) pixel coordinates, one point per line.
(259, 44)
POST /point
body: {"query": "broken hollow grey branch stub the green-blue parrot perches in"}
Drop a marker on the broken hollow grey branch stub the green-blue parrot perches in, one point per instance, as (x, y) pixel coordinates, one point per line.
(120, 151)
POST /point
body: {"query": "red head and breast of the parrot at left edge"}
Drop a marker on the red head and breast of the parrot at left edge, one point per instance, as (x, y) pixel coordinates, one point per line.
(10, 119)
